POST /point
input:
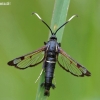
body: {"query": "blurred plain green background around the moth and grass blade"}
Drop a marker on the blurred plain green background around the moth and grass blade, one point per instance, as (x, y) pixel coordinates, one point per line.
(21, 33)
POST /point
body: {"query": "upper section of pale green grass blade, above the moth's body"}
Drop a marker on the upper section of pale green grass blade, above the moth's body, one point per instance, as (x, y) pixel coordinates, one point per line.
(59, 17)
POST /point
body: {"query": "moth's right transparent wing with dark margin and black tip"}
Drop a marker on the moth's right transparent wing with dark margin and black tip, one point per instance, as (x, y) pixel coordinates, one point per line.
(70, 65)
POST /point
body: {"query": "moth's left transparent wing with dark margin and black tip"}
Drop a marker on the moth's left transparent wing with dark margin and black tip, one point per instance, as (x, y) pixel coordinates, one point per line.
(29, 60)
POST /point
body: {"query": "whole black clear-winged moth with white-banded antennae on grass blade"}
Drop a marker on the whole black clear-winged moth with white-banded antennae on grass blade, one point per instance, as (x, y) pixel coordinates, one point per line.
(50, 54)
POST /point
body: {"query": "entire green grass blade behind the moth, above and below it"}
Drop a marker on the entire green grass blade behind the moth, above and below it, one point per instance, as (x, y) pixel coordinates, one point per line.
(58, 18)
